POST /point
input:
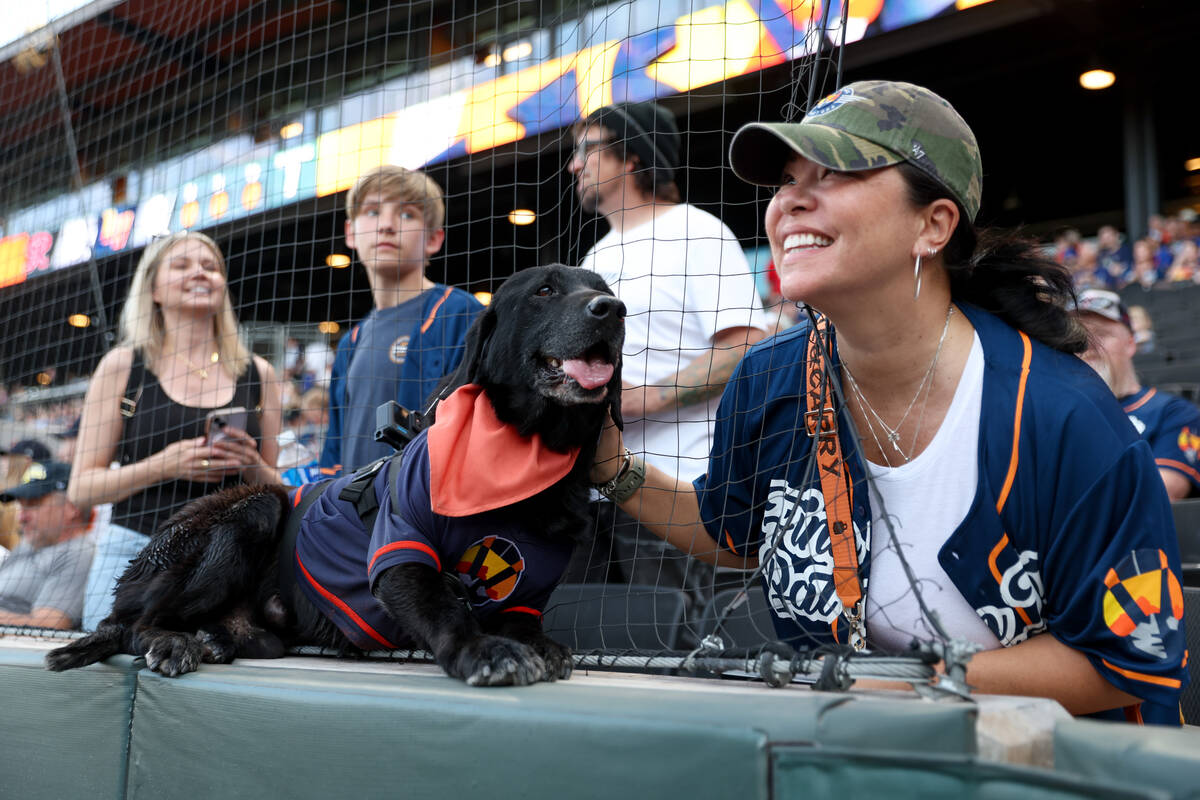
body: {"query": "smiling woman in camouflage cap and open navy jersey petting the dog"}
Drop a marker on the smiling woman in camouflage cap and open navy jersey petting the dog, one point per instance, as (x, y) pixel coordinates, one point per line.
(997, 482)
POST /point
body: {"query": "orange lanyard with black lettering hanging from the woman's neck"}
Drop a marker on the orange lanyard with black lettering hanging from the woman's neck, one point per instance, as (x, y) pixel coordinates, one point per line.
(821, 424)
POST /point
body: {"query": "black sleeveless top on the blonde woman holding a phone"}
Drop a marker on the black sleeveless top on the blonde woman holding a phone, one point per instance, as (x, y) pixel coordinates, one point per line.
(158, 422)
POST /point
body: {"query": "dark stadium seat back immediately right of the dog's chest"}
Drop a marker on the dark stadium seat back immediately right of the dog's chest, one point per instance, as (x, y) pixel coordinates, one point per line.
(614, 617)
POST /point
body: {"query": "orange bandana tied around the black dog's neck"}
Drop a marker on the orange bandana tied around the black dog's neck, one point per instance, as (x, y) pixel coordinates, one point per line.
(478, 464)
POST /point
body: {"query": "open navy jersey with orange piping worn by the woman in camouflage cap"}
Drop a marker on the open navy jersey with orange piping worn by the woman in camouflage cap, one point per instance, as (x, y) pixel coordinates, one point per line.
(1070, 532)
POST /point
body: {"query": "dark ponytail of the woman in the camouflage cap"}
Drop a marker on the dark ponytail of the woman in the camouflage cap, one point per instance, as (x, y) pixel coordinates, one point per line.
(1004, 273)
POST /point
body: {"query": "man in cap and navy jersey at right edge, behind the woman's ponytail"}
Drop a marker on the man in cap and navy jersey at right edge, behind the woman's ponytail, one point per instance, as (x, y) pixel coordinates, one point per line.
(1169, 424)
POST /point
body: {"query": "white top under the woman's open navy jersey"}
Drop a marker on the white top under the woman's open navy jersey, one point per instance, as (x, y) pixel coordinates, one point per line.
(927, 500)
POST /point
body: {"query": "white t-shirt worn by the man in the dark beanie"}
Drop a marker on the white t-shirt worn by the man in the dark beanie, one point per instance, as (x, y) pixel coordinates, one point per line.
(683, 279)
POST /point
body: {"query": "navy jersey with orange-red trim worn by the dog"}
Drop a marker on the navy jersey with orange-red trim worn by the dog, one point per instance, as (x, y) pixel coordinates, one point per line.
(505, 566)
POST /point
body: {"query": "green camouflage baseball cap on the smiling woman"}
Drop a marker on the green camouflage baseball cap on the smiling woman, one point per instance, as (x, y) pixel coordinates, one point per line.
(867, 125)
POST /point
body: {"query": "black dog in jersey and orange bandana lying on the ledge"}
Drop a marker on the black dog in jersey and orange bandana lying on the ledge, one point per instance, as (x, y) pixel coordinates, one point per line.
(545, 356)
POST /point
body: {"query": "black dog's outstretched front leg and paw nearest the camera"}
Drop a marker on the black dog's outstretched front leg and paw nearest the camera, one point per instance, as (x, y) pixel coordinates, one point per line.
(418, 598)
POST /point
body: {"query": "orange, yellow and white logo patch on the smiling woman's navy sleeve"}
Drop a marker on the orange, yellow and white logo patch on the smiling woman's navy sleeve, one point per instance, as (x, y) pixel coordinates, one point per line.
(1143, 601)
